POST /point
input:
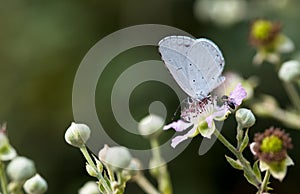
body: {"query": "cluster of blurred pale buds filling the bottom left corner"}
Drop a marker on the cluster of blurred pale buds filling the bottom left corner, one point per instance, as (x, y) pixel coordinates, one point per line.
(20, 170)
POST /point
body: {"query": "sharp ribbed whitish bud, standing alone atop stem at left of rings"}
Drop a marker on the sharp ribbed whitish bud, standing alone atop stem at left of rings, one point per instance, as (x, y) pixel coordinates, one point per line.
(77, 134)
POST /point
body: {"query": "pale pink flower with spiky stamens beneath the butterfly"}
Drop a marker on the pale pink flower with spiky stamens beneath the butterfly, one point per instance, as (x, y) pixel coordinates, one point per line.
(198, 116)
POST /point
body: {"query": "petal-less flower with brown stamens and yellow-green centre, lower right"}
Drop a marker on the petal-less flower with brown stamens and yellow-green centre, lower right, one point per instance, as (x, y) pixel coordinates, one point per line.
(271, 148)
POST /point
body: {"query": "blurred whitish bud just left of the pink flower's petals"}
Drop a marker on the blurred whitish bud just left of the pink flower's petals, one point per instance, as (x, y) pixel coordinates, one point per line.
(151, 125)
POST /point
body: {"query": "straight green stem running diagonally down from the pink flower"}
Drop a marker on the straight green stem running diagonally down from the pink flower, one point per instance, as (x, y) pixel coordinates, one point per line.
(246, 165)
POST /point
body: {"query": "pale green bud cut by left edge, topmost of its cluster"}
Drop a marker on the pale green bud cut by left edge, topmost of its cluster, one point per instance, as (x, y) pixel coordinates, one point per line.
(7, 152)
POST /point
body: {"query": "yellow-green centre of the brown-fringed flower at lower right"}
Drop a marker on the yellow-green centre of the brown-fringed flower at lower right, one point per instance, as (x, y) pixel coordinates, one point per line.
(271, 144)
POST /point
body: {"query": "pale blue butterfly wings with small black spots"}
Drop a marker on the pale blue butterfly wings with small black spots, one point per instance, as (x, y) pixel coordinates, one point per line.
(195, 64)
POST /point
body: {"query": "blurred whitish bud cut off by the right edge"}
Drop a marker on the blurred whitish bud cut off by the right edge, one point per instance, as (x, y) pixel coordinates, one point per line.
(289, 71)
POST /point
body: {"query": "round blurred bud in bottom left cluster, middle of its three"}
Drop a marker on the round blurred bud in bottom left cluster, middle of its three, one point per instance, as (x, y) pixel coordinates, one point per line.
(20, 169)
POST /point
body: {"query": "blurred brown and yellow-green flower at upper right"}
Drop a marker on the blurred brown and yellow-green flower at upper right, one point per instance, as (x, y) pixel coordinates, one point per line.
(267, 38)
